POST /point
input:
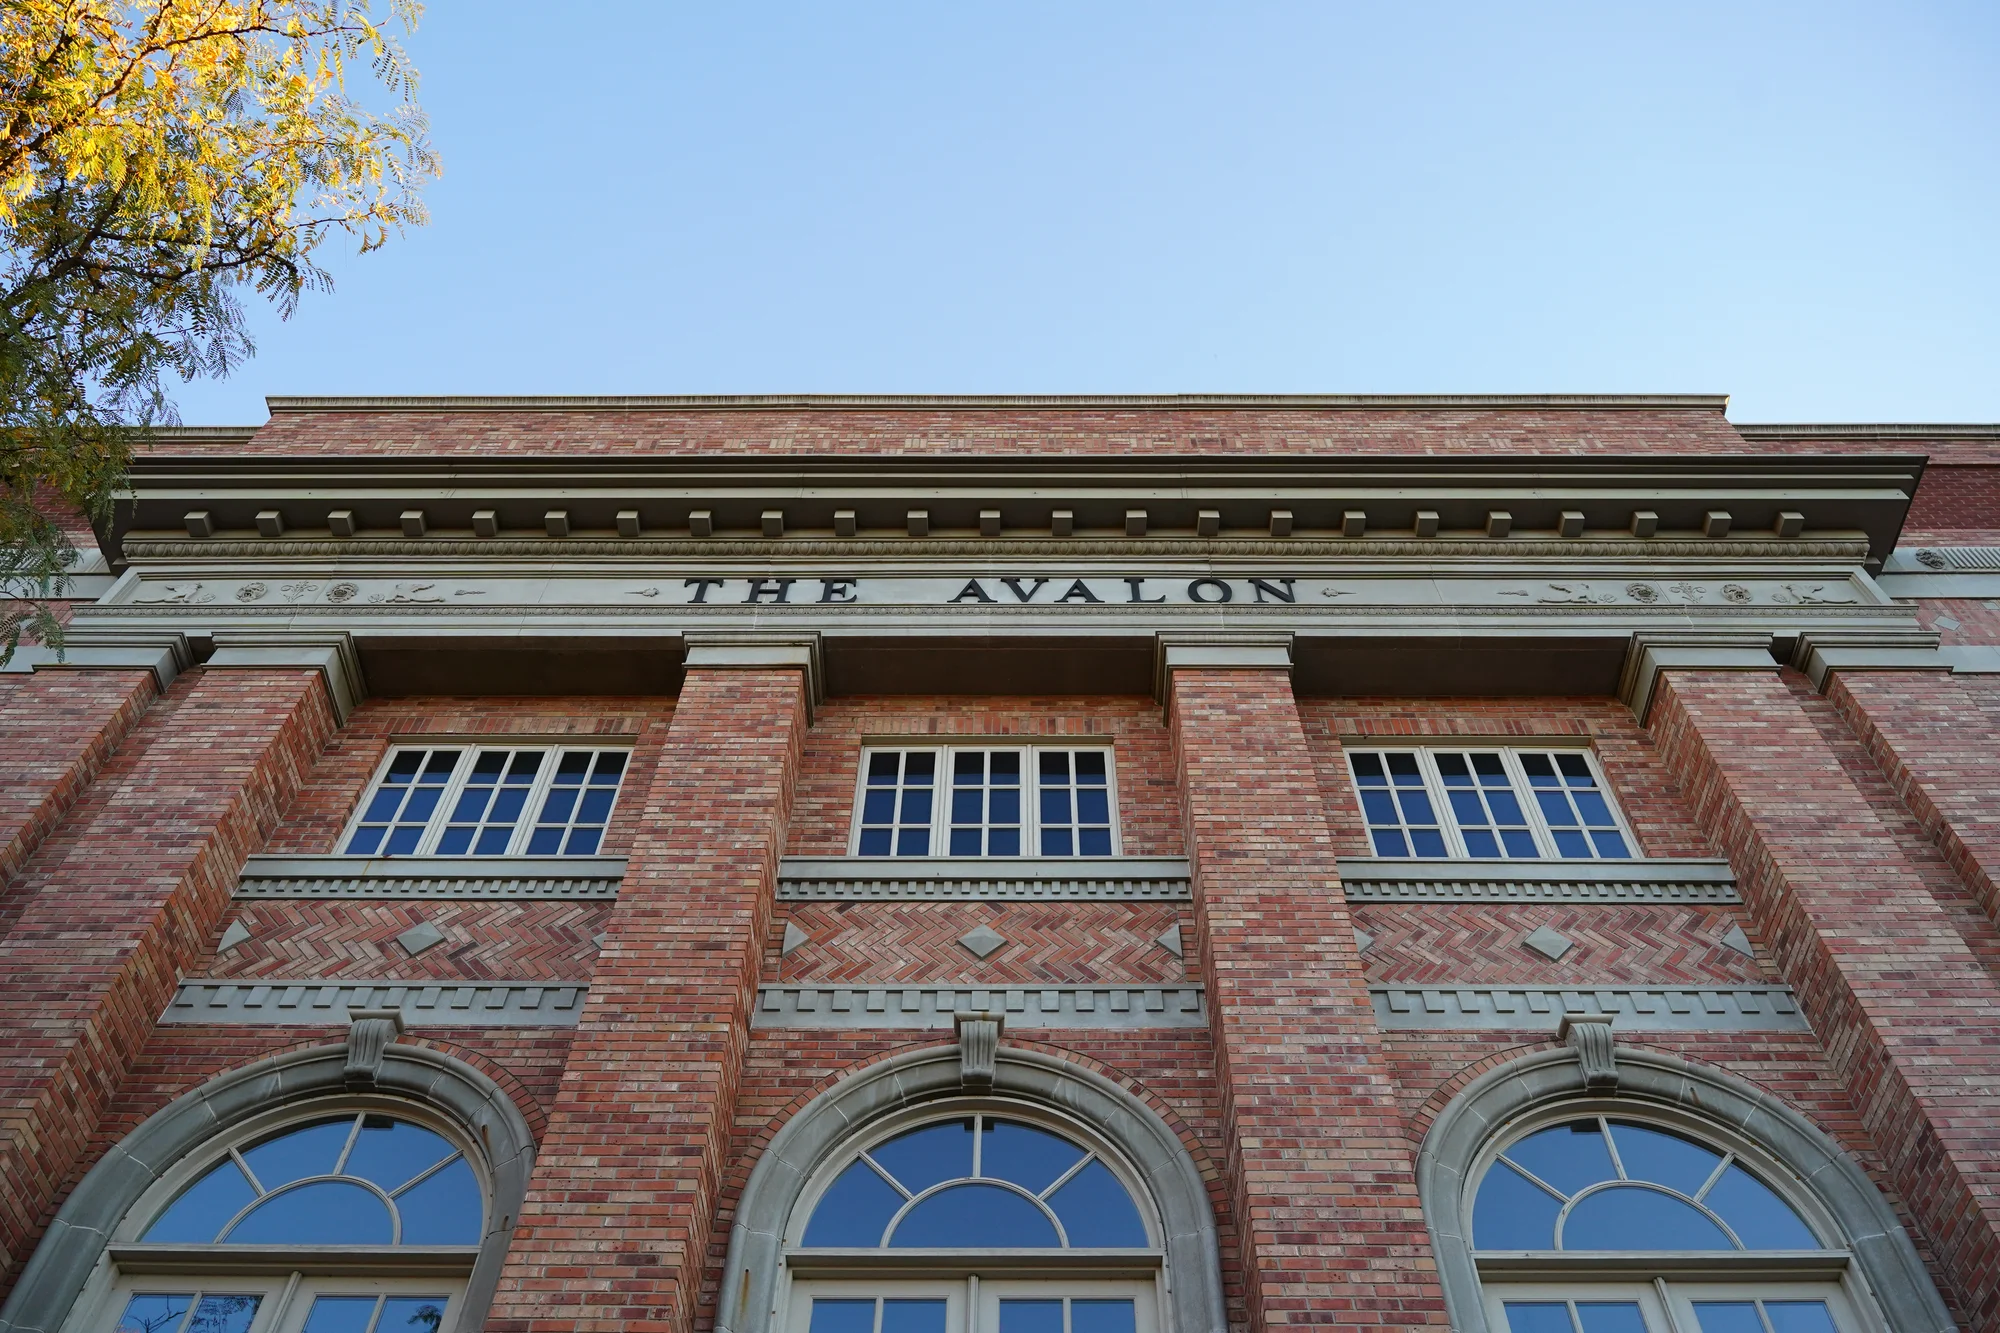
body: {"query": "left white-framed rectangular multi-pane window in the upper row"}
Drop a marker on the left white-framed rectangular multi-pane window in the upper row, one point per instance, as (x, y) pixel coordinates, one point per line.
(475, 802)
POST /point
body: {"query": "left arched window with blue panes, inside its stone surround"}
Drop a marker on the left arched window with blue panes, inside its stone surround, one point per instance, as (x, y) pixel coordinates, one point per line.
(361, 1218)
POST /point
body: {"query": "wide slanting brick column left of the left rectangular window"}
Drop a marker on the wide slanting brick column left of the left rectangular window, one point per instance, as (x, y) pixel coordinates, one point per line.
(123, 898)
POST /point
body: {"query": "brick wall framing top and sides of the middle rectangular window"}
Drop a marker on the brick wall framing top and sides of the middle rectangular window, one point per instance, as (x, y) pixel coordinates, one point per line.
(1149, 814)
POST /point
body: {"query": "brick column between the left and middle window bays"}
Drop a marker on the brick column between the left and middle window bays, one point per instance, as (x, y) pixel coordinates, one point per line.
(621, 1214)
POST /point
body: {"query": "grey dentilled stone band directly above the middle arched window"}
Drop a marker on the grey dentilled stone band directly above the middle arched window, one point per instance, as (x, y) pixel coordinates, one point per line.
(937, 1008)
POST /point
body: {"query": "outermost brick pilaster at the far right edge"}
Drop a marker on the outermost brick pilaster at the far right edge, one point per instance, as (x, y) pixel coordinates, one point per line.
(1941, 752)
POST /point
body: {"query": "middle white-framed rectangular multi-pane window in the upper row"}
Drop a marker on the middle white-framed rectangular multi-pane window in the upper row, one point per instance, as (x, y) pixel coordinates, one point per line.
(987, 802)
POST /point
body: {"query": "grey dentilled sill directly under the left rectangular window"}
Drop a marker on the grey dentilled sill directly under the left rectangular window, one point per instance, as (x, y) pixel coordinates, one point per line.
(431, 878)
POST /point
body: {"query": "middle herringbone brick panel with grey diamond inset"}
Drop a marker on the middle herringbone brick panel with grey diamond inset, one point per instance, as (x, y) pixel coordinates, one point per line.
(919, 942)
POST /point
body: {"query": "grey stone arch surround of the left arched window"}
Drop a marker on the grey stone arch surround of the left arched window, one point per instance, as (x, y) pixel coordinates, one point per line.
(421, 1076)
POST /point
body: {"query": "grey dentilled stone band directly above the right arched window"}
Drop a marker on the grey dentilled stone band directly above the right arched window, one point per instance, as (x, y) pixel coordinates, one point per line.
(1635, 1010)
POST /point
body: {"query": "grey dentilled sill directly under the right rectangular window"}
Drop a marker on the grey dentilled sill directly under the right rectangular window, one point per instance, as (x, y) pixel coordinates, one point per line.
(1367, 880)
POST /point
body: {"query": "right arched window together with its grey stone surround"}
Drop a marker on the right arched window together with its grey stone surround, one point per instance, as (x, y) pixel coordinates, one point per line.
(1671, 1198)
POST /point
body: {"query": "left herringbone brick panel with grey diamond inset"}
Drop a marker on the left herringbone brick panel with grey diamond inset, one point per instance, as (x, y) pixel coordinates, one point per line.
(357, 940)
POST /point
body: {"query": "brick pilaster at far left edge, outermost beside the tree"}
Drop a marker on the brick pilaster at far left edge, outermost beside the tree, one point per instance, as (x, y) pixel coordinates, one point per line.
(57, 730)
